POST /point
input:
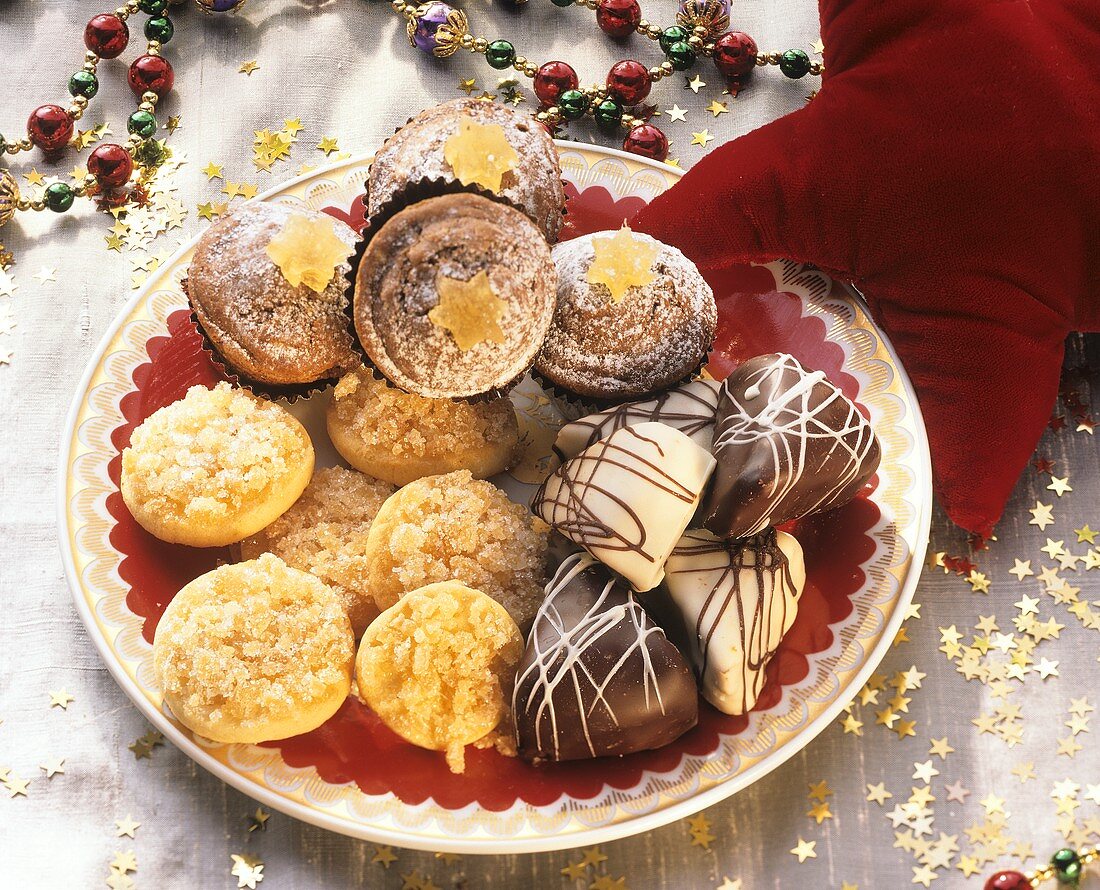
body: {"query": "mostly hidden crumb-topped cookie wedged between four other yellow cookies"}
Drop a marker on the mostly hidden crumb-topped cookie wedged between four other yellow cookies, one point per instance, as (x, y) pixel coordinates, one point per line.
(325, 534)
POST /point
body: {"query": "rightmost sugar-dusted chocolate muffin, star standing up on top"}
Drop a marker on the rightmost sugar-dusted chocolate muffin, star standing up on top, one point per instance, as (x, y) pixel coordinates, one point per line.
(634, 318)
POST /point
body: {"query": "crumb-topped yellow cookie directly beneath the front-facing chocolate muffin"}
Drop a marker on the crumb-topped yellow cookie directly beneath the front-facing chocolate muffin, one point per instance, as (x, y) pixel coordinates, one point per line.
(403, 425)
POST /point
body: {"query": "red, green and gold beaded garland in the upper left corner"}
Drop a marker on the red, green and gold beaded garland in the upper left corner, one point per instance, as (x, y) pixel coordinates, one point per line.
(112, 167)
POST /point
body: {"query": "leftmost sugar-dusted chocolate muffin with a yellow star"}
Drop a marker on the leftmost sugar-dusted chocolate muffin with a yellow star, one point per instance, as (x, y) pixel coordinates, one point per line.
(262, 326)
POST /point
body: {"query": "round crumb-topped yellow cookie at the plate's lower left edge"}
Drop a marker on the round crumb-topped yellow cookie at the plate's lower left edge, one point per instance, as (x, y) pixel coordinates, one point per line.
(255, 652)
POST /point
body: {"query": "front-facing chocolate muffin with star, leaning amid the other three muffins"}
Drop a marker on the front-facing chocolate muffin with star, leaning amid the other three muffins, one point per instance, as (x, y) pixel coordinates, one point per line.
(455, 296)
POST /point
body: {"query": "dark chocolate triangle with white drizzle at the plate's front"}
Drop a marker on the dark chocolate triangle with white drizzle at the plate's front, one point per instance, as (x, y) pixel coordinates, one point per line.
(598, 678)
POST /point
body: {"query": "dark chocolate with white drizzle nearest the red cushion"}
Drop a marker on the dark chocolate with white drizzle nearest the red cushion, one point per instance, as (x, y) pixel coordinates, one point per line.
(788, 444)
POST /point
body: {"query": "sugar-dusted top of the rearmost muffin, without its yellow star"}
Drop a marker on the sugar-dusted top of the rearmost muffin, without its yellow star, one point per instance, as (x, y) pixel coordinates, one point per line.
(417, 152)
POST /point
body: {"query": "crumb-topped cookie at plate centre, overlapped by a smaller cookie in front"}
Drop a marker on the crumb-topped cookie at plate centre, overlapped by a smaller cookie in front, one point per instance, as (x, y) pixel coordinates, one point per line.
(456, 528)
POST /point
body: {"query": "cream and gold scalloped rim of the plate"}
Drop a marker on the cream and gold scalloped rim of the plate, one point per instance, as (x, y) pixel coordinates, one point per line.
(861, 642)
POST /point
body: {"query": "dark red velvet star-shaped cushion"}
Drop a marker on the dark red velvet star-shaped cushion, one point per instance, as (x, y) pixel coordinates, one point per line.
(950, 168)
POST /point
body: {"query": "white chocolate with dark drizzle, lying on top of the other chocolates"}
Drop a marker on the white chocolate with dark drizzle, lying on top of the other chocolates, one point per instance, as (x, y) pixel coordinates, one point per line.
(629, 499)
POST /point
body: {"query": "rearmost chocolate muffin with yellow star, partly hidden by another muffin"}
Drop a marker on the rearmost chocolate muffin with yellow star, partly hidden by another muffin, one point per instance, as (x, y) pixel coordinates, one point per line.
(530, 174)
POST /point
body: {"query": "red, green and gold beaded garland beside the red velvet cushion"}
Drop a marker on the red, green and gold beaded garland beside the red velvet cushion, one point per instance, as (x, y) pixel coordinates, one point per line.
(701, 31)
